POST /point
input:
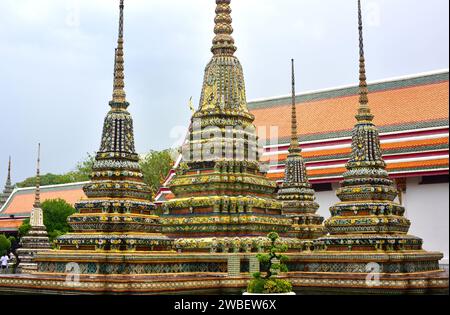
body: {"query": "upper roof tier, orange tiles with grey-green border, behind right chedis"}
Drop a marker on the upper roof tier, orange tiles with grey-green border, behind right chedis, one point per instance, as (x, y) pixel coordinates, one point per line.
(396, 103)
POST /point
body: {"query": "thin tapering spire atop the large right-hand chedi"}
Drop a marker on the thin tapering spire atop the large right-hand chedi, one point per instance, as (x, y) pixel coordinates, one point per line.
(364, 113)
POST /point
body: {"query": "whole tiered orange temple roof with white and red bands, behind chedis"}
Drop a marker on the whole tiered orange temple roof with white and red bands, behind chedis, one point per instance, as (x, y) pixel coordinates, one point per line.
(411, 114)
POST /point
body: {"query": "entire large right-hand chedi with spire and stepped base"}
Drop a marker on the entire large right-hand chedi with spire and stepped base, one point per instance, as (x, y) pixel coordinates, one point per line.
(367, 228)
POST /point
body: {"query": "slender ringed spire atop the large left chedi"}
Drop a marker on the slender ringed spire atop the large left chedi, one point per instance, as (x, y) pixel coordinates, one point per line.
(119, 95)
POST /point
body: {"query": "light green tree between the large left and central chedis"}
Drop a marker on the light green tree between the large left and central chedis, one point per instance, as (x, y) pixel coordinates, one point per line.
(155, 167)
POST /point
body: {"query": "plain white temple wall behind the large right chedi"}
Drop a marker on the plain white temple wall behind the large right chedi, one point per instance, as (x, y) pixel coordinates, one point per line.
(427, 206)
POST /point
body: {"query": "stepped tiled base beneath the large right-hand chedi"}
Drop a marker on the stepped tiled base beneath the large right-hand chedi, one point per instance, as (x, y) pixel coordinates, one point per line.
(371, 272)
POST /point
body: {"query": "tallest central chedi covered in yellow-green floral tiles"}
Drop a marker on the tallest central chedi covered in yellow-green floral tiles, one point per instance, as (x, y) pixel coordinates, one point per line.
(220, 190)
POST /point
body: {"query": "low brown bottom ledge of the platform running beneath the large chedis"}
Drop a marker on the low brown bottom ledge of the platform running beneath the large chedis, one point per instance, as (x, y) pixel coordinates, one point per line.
(220, 283)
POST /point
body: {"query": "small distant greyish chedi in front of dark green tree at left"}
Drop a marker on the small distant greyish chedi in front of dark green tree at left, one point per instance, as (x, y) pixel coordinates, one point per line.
(36, 240)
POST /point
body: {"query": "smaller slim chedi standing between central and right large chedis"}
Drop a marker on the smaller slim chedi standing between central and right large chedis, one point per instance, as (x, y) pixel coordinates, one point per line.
(296, 193)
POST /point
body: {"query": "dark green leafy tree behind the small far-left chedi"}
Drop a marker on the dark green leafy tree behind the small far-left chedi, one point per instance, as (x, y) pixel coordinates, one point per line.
(56, 212)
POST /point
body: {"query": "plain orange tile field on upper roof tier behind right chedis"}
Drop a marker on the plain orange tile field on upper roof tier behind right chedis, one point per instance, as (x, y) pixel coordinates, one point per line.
(391, 107)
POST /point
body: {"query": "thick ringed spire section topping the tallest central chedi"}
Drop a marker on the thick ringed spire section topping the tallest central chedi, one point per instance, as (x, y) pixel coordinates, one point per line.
(223, 42)
